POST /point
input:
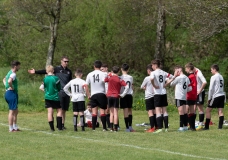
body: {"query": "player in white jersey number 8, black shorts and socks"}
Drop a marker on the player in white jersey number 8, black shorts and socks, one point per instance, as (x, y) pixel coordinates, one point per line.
(158, 78)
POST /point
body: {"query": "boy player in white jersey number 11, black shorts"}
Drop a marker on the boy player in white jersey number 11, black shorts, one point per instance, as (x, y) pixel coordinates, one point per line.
(78, 87)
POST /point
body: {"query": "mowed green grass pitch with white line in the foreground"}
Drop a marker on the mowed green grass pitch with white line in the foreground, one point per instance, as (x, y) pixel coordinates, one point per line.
(35, 141)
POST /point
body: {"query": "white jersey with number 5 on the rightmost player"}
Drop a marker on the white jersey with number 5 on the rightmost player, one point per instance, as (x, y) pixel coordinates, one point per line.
(216, 88)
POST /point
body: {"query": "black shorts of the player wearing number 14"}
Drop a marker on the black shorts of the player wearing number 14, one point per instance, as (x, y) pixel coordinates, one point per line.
(99, 100)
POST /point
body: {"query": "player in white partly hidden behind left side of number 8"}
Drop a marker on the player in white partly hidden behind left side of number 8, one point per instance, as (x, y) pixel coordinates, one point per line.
(149, 99)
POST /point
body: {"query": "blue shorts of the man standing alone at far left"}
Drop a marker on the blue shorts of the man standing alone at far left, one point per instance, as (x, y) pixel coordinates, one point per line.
(11, 98)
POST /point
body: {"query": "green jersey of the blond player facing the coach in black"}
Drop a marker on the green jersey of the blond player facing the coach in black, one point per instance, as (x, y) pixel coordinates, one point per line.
(51, 87)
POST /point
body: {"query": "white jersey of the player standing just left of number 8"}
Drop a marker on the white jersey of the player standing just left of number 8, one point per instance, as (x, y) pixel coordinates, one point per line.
(149, 91)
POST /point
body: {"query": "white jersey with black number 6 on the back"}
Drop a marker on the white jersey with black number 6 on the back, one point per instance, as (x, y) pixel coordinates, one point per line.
(181, 84)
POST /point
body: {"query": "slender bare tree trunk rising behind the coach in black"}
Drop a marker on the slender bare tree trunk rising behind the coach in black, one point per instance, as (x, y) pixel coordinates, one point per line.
(53, 30)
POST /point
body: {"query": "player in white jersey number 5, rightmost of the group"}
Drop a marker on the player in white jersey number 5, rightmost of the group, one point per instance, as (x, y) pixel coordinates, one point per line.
(216, 96)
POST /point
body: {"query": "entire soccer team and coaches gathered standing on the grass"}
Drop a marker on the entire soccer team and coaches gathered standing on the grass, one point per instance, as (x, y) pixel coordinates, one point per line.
(109, 92)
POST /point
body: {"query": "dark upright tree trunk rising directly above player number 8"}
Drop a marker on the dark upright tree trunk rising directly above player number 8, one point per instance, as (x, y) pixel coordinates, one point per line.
(161, 26)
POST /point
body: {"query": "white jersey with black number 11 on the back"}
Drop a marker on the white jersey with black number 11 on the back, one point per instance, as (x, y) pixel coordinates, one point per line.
(77, 87)
